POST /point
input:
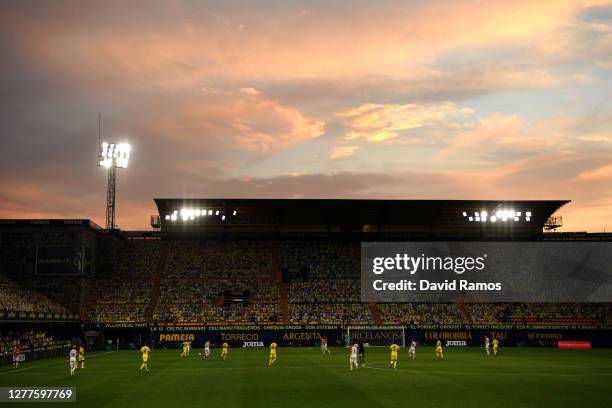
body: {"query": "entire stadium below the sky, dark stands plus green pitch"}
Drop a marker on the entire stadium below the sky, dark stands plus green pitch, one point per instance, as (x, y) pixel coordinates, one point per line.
(254, 272)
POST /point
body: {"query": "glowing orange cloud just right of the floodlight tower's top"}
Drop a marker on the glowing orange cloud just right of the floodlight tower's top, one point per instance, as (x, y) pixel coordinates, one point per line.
(247, 121)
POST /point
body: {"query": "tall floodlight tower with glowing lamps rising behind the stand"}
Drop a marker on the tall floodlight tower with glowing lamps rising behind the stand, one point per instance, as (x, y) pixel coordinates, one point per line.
(113, 156)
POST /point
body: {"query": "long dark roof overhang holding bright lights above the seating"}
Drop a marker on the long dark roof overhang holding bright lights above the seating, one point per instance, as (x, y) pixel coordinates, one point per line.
(431, 215)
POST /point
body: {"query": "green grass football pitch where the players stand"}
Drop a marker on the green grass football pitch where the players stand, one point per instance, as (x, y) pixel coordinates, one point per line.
(518, 377)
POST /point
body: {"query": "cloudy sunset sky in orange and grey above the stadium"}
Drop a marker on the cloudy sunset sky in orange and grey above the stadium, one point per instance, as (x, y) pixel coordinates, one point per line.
(359, 99)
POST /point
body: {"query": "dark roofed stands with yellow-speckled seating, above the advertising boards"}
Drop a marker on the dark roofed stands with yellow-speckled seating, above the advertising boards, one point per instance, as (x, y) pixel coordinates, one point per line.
(200, 274)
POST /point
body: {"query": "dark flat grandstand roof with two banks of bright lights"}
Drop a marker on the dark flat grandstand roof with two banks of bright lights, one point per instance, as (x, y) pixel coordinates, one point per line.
(425, 217)
